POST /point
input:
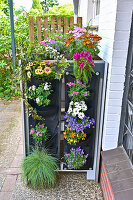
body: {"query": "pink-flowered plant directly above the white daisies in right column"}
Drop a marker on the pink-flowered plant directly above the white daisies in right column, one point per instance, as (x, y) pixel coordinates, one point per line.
(78, 91)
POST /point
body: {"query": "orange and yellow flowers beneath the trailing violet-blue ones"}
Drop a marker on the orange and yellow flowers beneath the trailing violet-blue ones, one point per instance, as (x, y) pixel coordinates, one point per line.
(73, 137)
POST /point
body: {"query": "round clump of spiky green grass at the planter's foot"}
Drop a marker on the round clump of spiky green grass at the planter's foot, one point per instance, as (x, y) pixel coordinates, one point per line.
(39, 169)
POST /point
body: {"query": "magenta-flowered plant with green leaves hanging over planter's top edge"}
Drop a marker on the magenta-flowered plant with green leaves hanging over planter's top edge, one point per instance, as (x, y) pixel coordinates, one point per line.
(83, 66)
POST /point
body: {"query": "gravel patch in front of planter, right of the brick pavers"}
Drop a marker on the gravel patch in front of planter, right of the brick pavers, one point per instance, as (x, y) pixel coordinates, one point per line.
(71, 186)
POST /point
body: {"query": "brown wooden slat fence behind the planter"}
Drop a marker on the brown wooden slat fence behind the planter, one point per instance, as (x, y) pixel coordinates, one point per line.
(52, 26)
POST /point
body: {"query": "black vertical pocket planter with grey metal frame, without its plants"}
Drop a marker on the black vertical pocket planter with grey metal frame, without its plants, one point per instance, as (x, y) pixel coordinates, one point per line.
(52, 115)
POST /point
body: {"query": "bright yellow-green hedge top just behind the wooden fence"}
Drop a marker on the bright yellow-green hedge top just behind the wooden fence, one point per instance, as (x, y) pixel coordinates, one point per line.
(64, 10)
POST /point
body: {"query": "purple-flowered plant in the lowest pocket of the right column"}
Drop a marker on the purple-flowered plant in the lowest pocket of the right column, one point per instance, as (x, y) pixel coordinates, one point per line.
(76, 158)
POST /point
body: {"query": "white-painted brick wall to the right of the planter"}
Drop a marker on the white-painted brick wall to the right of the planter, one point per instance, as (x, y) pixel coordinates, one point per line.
(114, 28)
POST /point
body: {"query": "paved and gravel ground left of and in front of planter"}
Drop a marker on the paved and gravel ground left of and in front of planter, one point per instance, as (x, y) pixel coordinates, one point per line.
(71, 186)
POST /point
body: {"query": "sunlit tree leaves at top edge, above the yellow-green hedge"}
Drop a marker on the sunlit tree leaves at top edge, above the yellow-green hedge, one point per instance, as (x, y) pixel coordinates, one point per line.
(46, 4)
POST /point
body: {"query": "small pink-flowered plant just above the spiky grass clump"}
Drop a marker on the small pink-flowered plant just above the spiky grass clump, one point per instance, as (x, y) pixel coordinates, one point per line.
(40, 133)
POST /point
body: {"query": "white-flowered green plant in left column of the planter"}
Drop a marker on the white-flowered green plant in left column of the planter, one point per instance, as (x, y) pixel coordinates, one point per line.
(40, 94)
